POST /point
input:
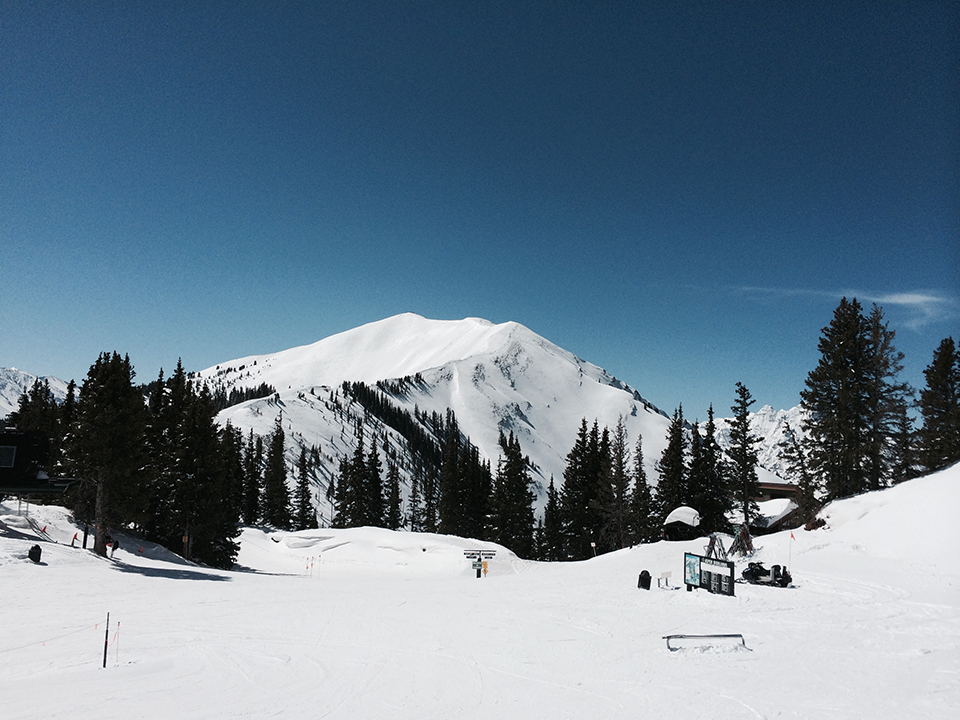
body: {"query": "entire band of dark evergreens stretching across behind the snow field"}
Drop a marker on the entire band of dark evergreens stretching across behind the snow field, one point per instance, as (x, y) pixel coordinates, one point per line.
(153, 459)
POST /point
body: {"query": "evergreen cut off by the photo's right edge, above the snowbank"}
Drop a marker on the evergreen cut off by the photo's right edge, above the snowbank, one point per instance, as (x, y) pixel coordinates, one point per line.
(939, 436)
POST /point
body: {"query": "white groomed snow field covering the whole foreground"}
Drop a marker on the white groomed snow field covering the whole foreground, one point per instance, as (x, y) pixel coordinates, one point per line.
(396, 625)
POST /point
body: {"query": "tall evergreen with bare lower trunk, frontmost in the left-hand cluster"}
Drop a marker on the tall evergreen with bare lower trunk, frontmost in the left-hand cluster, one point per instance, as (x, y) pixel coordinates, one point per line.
(109, 445)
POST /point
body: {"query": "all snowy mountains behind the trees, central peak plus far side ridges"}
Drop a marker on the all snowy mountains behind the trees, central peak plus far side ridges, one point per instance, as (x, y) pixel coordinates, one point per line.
(493, 377)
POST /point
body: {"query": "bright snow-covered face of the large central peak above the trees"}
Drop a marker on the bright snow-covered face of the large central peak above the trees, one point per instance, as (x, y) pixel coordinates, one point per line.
(494, 377)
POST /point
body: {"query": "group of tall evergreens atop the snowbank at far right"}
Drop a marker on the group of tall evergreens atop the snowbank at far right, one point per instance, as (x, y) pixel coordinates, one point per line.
(859, 434)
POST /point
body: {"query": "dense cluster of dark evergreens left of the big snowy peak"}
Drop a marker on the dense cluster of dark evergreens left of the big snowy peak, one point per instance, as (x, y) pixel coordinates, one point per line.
(152, 459)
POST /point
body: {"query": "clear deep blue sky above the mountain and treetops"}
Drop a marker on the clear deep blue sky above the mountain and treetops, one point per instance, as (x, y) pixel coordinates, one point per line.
(678, 192)
